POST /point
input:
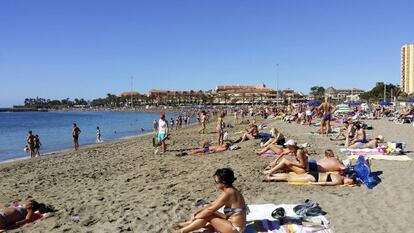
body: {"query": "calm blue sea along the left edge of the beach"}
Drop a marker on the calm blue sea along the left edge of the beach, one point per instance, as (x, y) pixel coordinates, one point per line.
(55, 129)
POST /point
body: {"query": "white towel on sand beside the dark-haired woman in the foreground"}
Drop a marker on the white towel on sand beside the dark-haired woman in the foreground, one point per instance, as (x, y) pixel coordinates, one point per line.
(260, 220)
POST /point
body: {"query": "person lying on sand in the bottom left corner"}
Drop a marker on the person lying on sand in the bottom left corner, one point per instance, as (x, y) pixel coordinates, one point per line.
(16, 216)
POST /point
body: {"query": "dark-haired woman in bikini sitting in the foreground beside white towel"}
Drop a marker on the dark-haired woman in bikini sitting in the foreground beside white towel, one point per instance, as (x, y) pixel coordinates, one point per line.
(233, 220)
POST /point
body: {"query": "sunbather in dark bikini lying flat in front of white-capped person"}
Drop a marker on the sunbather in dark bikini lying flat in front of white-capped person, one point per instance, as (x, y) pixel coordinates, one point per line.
(316, 178)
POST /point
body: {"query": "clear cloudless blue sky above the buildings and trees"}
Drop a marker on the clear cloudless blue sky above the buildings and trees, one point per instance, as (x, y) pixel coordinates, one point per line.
(87, 48)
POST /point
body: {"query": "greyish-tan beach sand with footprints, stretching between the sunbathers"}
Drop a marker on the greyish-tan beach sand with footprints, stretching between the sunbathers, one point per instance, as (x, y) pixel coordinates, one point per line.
(124, 187)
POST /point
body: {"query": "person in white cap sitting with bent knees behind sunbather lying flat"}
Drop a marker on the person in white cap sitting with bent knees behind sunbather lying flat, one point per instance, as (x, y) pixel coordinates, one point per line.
(299, 166)
